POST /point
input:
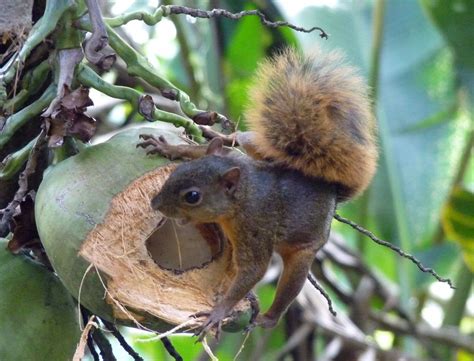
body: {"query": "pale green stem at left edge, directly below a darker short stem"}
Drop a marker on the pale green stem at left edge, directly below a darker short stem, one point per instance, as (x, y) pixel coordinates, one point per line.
(15, 121)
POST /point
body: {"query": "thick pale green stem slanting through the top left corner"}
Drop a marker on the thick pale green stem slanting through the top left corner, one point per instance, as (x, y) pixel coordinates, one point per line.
(53, 12)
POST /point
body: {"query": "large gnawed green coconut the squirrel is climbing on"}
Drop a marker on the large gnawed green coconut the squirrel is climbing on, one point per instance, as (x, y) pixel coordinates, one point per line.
(121, 259)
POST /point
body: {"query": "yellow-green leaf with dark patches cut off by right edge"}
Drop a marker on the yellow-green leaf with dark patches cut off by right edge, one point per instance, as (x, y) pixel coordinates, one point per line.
(458, 222)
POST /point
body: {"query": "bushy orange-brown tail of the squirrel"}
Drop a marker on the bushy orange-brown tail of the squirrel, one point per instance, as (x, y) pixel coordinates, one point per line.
(313, 114)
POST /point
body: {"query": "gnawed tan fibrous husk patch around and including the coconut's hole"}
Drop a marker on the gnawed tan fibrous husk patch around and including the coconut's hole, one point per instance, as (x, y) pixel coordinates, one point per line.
(152, 265)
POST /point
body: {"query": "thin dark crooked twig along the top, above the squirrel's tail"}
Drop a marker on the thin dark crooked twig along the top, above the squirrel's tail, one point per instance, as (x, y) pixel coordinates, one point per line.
(207, 14)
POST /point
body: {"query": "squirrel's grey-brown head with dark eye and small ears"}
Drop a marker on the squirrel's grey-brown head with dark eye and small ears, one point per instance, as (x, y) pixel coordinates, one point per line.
(201, 190)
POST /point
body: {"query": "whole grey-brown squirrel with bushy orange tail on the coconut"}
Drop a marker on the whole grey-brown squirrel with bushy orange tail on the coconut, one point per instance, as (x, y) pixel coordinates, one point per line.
(310, 145)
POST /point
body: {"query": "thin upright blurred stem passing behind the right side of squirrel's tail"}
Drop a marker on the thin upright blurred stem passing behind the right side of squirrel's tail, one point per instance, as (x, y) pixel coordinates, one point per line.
(373, 79)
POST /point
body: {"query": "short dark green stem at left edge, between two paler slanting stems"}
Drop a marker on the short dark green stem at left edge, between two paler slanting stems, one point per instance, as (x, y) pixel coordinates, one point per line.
(31, 83)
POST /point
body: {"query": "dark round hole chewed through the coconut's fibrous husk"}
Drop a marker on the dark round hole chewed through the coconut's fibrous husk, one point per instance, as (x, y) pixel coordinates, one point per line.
(183, 247)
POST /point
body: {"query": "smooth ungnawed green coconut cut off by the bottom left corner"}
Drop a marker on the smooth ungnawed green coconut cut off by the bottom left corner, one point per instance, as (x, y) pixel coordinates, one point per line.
(38, 316)
